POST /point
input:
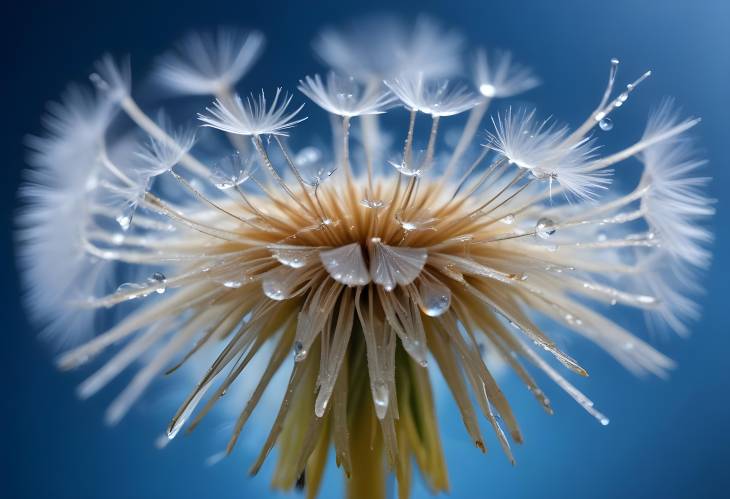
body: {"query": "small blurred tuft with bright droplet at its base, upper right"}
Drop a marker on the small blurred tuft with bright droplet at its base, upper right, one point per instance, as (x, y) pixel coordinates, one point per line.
(497, 76)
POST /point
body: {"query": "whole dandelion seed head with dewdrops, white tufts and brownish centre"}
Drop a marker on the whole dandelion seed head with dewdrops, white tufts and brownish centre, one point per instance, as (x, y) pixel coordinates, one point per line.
(369, 278)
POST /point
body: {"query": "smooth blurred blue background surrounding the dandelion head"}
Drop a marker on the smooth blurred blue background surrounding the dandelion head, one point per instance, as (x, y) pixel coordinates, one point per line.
(666, 438)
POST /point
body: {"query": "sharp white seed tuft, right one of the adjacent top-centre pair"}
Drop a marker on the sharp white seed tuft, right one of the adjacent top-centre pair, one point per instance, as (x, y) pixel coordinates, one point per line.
(437, 98)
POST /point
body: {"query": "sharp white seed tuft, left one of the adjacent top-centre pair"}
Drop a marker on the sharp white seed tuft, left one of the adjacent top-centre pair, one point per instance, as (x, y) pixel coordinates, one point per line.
(343, 96)
